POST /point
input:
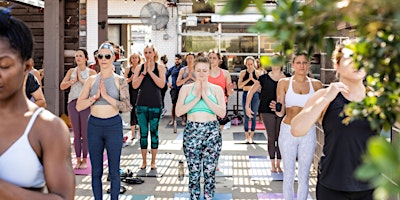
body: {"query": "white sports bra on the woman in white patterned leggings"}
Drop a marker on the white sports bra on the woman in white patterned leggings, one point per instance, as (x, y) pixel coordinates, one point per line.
(294, 99)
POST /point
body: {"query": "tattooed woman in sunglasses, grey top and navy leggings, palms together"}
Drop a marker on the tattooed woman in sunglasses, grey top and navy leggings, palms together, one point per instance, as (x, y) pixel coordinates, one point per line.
(106, 94)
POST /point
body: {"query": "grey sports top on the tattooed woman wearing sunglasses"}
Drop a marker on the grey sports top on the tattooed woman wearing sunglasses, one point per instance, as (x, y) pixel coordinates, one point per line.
(111, 88)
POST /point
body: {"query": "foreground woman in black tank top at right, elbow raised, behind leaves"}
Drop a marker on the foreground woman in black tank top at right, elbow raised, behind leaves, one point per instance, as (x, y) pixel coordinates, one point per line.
(344, 144)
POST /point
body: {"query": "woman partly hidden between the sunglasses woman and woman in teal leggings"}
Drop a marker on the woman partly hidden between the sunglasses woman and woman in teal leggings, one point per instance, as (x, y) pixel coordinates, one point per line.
(134, 61)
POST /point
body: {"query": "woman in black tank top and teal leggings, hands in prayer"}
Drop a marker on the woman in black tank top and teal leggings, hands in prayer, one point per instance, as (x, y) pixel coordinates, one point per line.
(149, 78)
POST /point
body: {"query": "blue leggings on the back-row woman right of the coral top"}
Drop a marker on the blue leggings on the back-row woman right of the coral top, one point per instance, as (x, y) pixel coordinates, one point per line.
(254, 107)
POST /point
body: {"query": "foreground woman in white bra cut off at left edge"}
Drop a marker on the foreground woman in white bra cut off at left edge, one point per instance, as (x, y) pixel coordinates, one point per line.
(35, 147)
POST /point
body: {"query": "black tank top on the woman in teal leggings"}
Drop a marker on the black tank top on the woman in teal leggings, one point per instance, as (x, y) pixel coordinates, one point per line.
(149, 92)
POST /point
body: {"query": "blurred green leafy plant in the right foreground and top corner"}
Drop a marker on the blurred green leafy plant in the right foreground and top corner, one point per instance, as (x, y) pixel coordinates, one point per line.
(376, 23)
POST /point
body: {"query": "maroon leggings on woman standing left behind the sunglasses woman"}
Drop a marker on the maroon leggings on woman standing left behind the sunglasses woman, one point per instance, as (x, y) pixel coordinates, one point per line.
(79, 126)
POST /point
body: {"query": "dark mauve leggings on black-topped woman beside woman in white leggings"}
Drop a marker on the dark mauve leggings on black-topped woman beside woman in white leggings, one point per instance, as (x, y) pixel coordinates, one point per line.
(272, 124)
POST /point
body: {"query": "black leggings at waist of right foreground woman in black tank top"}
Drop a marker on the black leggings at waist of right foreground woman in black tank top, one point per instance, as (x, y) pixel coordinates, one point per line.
(325, 193)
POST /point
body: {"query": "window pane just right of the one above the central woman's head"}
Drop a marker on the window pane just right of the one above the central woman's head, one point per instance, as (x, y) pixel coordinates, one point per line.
(240, 44)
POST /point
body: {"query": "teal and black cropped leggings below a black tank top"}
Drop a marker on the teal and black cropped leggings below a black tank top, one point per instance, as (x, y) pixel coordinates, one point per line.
(148, 116)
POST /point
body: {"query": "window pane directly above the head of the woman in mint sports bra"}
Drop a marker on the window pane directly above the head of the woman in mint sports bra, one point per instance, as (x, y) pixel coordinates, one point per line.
(199, 43)
